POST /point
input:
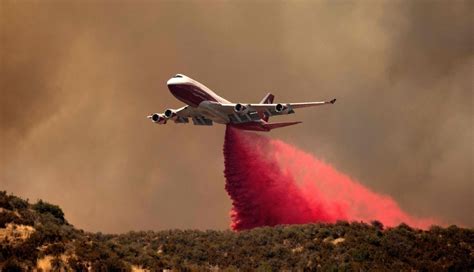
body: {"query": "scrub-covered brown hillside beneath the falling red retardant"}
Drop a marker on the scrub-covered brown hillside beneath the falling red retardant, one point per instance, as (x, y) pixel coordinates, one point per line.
(38, 236)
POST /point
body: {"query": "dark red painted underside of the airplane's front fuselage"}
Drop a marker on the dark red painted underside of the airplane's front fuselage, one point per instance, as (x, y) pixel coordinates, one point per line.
(190, 94)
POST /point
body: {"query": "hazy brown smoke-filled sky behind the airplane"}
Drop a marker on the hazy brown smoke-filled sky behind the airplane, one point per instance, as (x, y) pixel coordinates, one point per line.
(78, 79)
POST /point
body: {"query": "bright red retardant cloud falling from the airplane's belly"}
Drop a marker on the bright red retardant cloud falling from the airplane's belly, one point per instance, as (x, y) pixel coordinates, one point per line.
(271, 183)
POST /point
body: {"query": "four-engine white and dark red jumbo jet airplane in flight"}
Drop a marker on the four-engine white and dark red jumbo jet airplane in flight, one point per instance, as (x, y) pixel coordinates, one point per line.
(204, 107)
